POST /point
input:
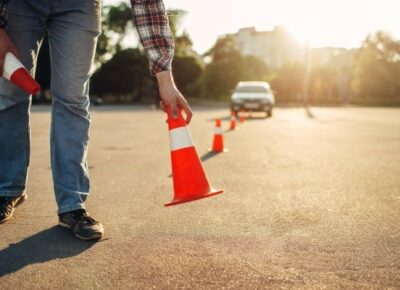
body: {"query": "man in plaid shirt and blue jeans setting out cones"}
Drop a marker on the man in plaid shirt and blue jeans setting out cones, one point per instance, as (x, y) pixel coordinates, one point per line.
(73, 28)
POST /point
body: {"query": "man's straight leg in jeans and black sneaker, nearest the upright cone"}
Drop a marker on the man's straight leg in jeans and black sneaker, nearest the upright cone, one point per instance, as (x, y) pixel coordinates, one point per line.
(73, 30)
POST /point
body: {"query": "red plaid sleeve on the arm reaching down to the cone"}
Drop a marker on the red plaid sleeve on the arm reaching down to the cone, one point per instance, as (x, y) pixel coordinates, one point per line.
(151, 21)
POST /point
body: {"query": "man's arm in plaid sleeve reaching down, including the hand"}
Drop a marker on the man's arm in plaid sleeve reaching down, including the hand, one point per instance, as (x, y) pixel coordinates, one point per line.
(151, 21)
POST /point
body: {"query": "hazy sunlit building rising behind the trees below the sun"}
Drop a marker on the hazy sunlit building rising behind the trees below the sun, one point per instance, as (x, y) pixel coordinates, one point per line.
(330, 67)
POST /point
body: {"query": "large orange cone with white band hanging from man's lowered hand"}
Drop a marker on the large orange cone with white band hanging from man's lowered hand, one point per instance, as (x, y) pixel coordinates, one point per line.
(189, 178)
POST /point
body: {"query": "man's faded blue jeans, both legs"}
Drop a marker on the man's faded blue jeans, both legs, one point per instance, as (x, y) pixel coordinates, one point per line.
(73, 27)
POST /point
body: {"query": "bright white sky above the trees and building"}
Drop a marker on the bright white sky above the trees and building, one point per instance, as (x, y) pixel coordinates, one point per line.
(341, 23)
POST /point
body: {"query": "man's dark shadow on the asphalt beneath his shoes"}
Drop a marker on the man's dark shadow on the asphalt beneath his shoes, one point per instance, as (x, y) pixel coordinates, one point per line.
(52, 243)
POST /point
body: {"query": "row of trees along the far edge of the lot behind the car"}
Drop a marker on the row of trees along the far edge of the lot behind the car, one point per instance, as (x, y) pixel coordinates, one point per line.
(375, 71)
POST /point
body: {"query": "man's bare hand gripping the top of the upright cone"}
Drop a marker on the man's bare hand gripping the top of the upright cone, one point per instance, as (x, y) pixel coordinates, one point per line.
(171, 96)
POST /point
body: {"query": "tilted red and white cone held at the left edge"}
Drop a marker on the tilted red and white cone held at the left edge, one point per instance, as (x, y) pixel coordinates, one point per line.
(15, 72)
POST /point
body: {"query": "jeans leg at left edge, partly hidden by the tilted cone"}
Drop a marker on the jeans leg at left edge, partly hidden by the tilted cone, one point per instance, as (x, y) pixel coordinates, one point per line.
(26, 30)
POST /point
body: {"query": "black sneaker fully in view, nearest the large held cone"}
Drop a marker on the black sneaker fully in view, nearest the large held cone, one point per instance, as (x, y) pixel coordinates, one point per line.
(82, 225)
